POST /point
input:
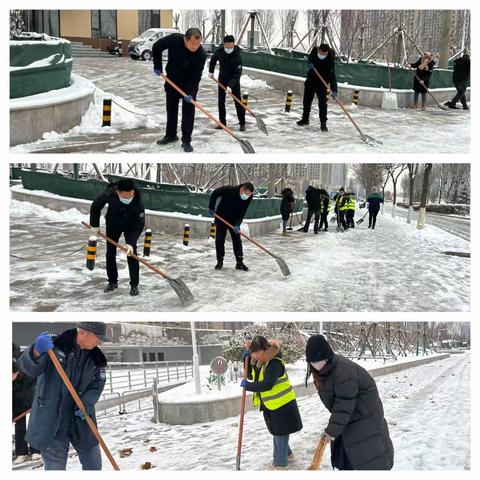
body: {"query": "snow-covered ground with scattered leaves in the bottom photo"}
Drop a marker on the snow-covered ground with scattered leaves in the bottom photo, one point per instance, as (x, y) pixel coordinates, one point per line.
(427, 409)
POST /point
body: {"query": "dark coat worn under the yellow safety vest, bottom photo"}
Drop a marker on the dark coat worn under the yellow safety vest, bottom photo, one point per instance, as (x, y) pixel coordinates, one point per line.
(286, 419)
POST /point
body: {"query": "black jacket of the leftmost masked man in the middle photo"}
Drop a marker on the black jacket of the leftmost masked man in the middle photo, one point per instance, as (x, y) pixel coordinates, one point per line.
(126, 218)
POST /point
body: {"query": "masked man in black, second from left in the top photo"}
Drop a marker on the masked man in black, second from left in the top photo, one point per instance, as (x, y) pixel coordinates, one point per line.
(230, 60)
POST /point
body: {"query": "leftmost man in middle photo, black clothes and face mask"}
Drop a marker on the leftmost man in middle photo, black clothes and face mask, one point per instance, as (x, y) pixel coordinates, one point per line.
(125, 214)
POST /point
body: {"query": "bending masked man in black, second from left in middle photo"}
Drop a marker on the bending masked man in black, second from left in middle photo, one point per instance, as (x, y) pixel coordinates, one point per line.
(233, 205)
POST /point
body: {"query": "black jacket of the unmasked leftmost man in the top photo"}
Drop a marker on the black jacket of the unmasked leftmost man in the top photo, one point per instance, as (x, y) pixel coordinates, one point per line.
(183, 67)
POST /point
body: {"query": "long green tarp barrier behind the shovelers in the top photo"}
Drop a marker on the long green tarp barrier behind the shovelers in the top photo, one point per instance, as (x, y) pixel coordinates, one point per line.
(358, 74)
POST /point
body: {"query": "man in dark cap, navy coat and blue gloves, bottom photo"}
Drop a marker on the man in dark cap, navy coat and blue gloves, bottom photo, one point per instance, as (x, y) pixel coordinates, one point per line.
(55, 420)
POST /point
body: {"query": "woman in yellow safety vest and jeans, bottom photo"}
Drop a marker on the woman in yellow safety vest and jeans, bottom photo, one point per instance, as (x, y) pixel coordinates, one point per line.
(273, 393)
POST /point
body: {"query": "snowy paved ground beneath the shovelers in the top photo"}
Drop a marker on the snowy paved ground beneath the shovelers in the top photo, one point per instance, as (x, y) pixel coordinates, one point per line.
(137, 89)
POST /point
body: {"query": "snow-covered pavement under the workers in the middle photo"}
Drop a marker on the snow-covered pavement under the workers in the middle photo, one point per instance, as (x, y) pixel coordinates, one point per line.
(393, 268)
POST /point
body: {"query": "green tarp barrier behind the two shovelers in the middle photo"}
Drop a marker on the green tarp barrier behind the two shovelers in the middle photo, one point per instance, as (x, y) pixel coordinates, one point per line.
(160, 200)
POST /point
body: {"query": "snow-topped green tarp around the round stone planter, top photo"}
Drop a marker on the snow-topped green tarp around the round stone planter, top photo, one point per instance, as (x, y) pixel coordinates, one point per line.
(51, 72)
